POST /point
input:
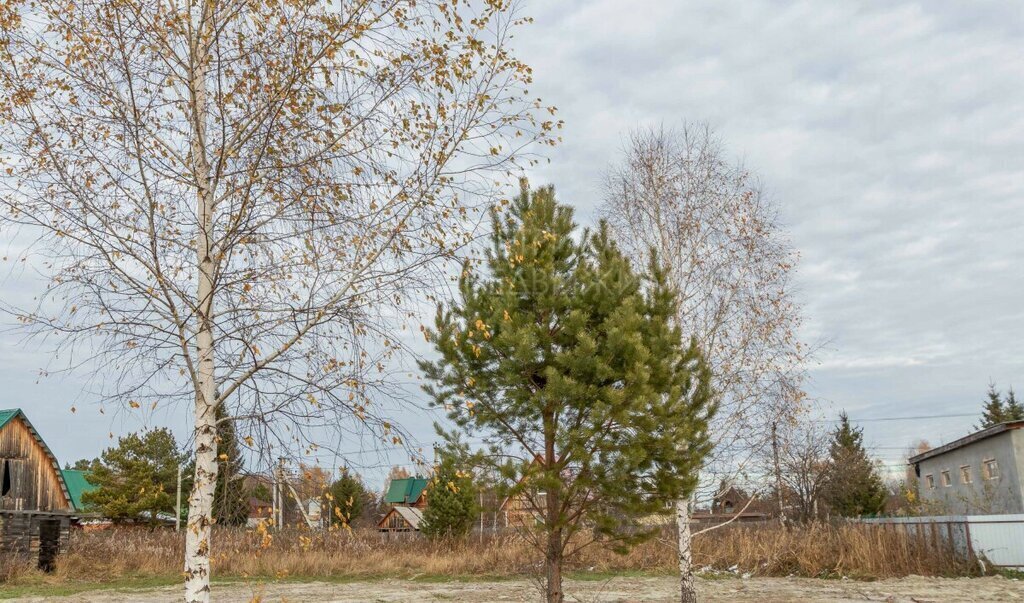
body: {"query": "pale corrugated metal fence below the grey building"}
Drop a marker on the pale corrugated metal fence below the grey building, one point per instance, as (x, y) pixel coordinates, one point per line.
(999, 539)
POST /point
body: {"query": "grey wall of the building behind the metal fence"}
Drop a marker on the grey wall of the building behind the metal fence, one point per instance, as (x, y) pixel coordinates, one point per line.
(982, 496)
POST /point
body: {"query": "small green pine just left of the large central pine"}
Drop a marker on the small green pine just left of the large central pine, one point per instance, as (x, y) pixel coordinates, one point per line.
(451, 501)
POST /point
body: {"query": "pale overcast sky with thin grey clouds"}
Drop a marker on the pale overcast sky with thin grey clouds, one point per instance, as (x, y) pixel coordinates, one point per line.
(890, 135)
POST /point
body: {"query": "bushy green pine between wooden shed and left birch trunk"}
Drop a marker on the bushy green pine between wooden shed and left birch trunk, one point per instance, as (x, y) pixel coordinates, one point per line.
(137, 480)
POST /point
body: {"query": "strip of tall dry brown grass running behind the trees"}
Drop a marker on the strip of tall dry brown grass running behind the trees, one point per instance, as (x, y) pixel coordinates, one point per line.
(857, 551)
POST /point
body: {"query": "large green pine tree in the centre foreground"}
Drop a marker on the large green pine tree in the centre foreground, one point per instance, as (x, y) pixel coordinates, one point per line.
(561, 354)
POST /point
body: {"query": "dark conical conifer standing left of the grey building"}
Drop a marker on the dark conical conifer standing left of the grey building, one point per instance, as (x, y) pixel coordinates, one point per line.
(855, 487)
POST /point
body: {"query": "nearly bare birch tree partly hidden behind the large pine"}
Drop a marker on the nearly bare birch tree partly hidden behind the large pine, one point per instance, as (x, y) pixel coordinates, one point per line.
(726, 253)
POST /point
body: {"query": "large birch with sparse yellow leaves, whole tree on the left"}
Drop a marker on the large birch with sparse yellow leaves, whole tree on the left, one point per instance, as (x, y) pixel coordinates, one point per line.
(235, 200)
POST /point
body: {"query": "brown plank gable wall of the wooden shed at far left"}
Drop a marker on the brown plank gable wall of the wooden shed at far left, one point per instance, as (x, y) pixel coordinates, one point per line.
(34, 481)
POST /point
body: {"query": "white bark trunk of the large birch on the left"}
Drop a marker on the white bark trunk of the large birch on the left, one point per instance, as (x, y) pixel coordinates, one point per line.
(197, 564)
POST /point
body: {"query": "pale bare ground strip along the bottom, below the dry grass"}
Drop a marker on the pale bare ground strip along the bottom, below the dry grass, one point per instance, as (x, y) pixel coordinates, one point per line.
(908, 590)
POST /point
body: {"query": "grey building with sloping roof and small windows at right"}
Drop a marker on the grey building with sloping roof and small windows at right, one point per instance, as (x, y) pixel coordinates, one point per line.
(979, 475)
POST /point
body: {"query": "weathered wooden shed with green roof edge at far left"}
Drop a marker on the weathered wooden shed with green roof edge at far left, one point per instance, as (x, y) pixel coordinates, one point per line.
(36, 507)
